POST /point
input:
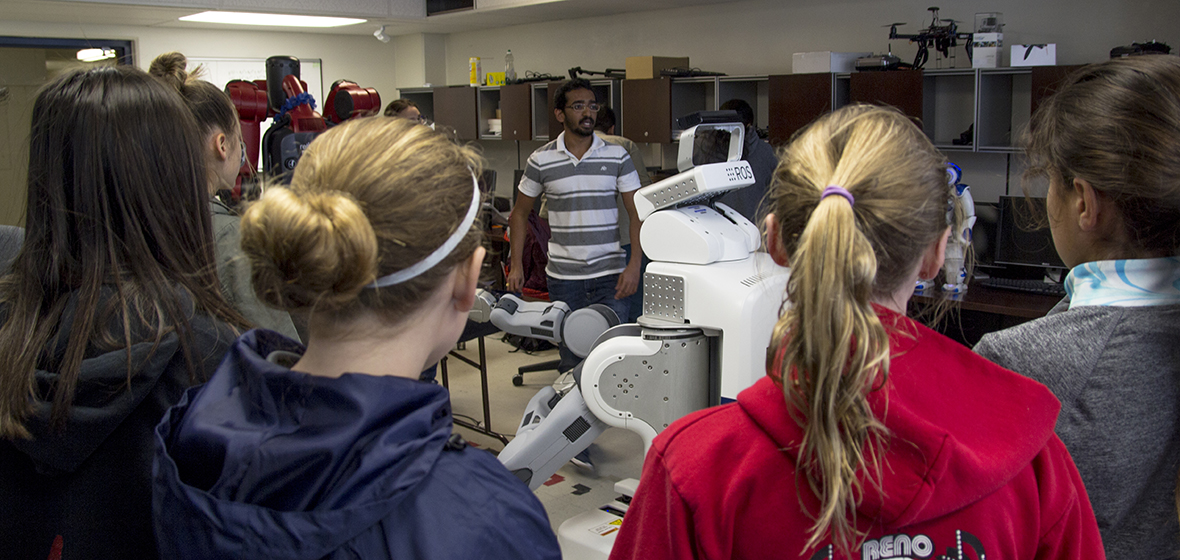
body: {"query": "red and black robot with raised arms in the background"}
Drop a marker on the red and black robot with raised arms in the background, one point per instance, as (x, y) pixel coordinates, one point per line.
(284, 97)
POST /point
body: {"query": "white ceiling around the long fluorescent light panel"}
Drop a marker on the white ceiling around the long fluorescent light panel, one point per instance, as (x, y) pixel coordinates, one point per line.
(501, 14)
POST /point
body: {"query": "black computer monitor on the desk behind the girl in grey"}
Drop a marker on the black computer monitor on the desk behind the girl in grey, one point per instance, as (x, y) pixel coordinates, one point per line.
(1018, 242)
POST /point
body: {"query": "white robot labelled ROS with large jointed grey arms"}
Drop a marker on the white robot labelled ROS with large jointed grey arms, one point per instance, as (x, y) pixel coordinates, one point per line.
(711, 301)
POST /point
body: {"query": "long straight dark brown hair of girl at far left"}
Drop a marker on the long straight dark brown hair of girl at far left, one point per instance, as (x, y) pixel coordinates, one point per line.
(117, 213)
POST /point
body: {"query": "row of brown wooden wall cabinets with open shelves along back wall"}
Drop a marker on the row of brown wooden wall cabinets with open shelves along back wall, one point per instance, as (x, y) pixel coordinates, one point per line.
(978, 110)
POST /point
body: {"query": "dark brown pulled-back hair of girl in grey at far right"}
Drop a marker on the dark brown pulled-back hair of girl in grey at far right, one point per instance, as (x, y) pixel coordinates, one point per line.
(1117, 124)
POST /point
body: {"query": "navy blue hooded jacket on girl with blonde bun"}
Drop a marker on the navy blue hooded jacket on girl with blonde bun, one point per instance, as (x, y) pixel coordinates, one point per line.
(268, 463)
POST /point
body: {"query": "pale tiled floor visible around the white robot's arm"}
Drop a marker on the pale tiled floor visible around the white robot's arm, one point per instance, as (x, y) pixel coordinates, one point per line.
(618, 454)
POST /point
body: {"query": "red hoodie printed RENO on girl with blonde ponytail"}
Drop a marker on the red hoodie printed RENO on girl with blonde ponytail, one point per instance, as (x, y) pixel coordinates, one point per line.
(973, 471)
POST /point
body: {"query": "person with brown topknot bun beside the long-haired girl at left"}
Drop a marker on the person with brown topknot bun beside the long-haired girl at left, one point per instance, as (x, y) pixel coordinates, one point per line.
(225, 155)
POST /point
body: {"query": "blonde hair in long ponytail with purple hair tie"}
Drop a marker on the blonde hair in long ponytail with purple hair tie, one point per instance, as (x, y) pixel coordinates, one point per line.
(830, 350)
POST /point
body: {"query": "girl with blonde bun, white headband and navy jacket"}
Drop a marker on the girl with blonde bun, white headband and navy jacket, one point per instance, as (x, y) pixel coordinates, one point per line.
(342, 450)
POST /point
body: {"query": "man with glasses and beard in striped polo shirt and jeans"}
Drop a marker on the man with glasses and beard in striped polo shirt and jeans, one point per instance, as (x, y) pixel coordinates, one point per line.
(580, 176)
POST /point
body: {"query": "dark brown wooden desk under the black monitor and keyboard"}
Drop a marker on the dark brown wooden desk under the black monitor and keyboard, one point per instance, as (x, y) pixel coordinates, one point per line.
(984, 311)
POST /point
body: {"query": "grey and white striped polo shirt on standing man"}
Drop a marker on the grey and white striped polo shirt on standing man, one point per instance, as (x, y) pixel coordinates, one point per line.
(584, 216)
